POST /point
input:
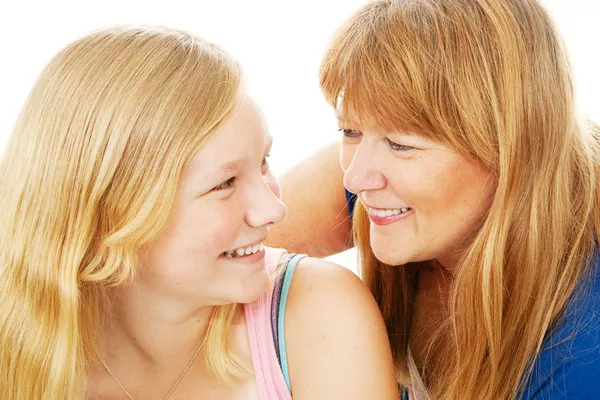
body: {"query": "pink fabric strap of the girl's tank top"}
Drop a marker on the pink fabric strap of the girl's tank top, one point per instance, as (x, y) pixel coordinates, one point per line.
(269, 378)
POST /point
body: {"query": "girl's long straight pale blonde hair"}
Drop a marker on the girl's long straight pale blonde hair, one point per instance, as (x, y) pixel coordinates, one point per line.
(89, 176)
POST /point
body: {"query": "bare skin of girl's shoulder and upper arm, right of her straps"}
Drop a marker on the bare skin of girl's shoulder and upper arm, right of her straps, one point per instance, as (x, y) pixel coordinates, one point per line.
(337, 344)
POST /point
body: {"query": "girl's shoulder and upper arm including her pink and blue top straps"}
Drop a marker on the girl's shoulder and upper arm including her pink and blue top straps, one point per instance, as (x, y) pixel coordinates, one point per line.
(318, 332)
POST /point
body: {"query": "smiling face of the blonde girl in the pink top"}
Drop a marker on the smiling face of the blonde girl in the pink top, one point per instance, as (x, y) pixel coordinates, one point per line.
(226, 200)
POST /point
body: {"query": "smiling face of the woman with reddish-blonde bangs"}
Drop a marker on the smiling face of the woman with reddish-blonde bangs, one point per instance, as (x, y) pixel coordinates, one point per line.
(424, 199)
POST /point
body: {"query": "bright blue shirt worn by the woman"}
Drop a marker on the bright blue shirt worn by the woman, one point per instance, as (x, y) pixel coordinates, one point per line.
(568, 366)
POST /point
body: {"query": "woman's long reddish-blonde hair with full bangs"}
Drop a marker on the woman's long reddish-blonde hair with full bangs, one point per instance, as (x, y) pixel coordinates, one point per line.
(491, 79)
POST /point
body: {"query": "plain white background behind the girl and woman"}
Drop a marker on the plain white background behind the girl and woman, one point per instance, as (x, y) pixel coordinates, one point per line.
(278, 42)
